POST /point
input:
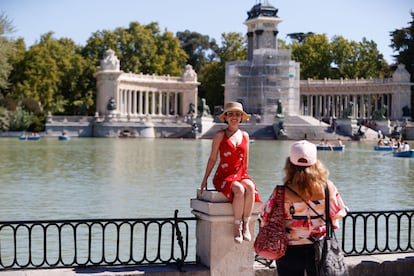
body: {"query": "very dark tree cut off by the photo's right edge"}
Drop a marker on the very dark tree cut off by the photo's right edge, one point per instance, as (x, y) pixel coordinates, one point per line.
(403, 42)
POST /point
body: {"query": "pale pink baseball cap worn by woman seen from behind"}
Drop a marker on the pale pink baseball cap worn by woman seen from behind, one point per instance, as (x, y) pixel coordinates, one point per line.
(303, 153)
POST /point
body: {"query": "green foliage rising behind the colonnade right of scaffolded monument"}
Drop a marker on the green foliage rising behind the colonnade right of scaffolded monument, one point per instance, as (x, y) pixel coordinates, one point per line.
(319, 58)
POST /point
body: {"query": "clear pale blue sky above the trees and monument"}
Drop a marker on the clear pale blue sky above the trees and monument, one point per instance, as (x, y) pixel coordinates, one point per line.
(78, 19)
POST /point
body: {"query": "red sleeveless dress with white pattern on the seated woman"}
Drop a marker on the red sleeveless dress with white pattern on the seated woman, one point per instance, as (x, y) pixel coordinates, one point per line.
(232, 167)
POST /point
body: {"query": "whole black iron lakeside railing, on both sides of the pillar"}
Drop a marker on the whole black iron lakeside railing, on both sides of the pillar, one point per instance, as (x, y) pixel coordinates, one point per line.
(151, 241)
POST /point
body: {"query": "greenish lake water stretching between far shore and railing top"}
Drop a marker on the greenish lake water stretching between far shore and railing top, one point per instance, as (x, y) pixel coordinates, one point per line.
(137, 178)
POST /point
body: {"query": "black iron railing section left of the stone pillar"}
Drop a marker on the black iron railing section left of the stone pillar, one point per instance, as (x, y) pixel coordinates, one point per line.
(96, 242)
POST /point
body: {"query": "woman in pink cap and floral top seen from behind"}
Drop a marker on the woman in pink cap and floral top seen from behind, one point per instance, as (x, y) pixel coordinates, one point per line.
(305, 180)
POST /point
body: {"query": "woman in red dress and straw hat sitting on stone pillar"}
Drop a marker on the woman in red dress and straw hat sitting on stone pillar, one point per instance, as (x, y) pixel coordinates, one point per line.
(231, 176)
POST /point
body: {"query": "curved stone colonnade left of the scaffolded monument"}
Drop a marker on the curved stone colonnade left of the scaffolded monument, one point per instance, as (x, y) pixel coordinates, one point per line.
(122, 96)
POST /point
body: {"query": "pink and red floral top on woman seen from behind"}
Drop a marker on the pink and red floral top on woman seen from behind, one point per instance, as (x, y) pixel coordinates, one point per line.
(302, 224)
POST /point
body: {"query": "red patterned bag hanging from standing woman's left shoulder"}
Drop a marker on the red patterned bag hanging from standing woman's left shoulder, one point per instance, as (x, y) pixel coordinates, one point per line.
(271, 241)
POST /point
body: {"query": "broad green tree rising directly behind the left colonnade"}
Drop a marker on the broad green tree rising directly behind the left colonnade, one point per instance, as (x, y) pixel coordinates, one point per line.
(140, 49)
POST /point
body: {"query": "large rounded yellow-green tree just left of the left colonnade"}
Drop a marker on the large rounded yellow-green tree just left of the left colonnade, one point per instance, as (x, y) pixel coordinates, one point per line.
(53, 74)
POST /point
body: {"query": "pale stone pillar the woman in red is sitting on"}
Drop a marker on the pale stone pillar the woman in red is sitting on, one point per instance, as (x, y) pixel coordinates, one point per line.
(215, 247)
